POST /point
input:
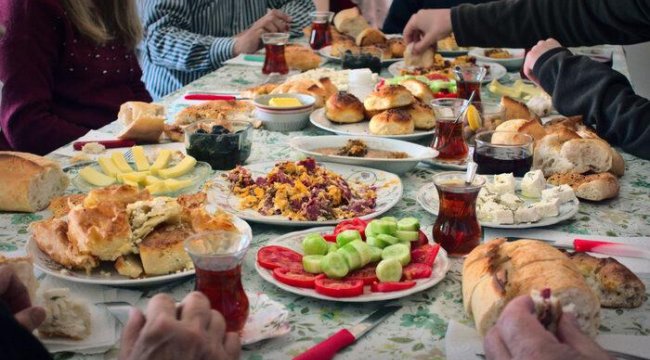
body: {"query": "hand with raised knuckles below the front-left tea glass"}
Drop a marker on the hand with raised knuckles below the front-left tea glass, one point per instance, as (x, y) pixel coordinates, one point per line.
(193, 331)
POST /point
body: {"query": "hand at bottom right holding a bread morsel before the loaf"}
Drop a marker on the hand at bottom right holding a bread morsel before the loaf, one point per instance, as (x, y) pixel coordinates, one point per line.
(518, 334)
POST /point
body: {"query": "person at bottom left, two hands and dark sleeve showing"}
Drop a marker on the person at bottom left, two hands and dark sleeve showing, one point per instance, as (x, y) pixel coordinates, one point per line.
(191, 331)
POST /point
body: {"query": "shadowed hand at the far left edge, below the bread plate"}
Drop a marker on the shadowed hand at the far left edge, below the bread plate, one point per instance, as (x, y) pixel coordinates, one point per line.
(15, 295)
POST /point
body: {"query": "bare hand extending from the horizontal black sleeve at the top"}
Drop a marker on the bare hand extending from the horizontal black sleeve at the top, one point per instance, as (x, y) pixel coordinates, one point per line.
(427, 27)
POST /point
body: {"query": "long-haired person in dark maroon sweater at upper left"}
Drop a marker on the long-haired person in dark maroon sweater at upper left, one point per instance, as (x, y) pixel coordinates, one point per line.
(67, 66)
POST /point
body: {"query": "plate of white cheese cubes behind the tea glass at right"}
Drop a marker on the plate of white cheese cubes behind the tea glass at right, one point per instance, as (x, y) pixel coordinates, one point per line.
(507, 202)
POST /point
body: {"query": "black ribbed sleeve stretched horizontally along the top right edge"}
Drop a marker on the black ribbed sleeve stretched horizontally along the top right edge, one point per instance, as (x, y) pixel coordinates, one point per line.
(521, 23)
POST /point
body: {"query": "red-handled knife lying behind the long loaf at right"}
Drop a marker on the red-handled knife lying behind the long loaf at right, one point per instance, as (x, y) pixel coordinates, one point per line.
(595, 246)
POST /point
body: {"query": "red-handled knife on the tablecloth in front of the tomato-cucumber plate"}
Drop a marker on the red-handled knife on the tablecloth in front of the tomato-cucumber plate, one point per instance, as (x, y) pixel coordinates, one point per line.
(326, 349)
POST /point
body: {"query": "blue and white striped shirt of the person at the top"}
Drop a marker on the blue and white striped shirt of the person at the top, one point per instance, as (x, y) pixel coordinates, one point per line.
(187, 39)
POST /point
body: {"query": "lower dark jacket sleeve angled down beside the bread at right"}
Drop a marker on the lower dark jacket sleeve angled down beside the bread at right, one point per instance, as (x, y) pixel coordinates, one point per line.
(604, 97)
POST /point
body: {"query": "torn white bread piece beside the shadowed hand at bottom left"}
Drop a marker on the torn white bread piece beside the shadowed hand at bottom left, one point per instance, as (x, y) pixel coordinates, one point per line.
(65, 316)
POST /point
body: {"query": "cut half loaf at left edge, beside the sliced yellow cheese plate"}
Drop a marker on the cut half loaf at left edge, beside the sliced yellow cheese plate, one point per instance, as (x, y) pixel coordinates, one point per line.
(32, 182)
